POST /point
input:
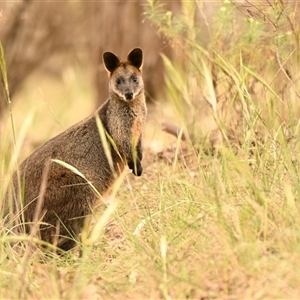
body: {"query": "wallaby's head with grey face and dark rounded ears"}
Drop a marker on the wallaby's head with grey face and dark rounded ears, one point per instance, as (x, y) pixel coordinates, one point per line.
(125, 77)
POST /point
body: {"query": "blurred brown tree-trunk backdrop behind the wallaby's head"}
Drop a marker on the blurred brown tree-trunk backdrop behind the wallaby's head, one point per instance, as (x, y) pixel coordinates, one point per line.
(48, 37)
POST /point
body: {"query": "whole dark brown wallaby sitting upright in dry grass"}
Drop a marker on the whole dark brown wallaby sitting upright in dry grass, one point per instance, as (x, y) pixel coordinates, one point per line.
(64, 197)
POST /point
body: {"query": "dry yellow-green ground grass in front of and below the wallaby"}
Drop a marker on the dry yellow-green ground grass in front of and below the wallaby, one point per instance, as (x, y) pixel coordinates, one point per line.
(204, 227)
